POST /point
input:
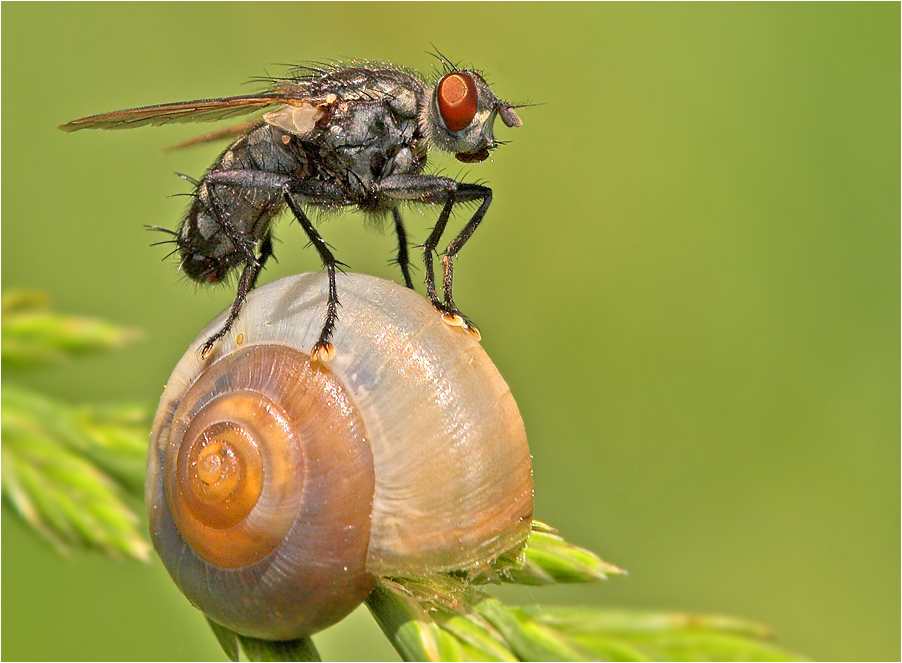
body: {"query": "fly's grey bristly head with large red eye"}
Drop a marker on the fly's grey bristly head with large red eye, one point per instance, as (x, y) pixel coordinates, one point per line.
(460, 116)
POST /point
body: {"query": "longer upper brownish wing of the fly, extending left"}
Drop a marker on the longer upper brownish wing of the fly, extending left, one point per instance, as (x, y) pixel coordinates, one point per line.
(200, 110)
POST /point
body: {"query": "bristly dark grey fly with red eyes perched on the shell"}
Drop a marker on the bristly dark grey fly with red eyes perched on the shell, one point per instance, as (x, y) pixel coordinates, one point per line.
(337, 135)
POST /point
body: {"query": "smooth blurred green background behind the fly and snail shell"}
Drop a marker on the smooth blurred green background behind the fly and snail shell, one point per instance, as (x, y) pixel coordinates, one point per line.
(689, 277)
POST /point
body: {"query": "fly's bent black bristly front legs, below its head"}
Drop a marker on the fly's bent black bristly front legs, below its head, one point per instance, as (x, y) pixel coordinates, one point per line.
(438, 190)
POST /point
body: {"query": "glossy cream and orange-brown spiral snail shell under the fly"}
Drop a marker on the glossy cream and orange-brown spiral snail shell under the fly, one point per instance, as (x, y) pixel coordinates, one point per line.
(279, 490)
